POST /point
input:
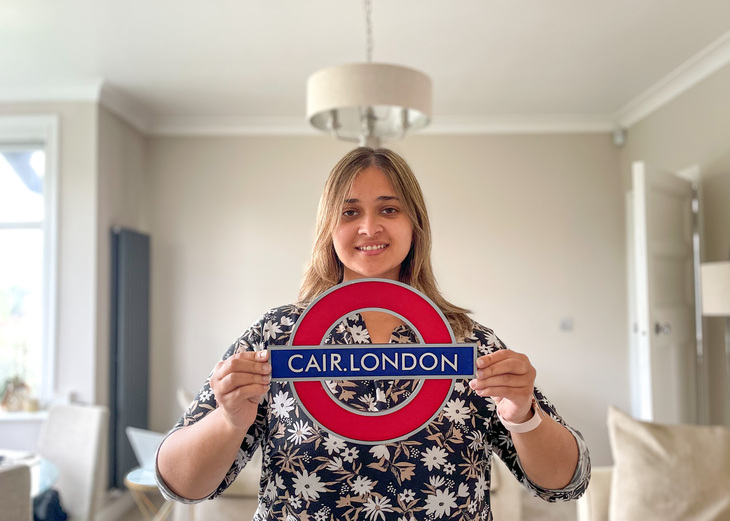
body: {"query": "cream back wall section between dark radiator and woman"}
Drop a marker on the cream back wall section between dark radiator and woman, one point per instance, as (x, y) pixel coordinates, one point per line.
(233, 225)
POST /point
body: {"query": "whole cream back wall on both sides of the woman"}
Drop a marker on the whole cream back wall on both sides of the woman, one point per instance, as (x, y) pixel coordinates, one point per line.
(528, 230)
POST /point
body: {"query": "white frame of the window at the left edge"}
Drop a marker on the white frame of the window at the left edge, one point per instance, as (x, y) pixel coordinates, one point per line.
(43, 130)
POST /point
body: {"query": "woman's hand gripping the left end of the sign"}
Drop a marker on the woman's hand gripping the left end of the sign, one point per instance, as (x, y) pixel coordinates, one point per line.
(238, 384)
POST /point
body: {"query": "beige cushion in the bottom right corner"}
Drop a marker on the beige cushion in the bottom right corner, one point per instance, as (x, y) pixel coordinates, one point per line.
(668, 472)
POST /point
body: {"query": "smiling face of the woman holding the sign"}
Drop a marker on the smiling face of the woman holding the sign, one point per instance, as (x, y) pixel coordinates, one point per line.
(374, 234)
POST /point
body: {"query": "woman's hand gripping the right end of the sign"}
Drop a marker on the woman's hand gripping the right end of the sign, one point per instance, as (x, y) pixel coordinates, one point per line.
(509, 379)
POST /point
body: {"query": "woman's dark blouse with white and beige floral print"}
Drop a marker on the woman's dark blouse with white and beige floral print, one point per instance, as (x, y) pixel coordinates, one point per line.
(440, 472)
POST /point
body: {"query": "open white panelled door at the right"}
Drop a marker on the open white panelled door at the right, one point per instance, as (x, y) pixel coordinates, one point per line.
(663, 296)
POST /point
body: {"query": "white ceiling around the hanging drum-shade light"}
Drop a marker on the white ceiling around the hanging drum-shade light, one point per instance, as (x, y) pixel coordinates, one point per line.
(188, 66)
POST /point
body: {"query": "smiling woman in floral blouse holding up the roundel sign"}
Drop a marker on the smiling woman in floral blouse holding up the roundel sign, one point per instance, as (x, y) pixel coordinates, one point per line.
(372, 222)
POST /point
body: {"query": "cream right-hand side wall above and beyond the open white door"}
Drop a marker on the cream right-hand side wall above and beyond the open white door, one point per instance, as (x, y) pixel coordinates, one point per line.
(693, 129)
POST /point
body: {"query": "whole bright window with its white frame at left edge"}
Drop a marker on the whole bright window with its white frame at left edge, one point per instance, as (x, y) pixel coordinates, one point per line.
(27, 260)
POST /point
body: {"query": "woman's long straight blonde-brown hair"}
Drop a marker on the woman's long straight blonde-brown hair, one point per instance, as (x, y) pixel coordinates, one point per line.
(325, 268)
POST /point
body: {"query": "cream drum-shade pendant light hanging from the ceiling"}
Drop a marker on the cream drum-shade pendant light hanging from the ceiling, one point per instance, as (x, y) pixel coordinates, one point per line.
(369, 102)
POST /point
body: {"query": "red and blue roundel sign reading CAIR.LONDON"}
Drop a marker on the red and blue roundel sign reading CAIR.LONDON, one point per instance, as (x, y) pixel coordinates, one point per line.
(308, 363)
